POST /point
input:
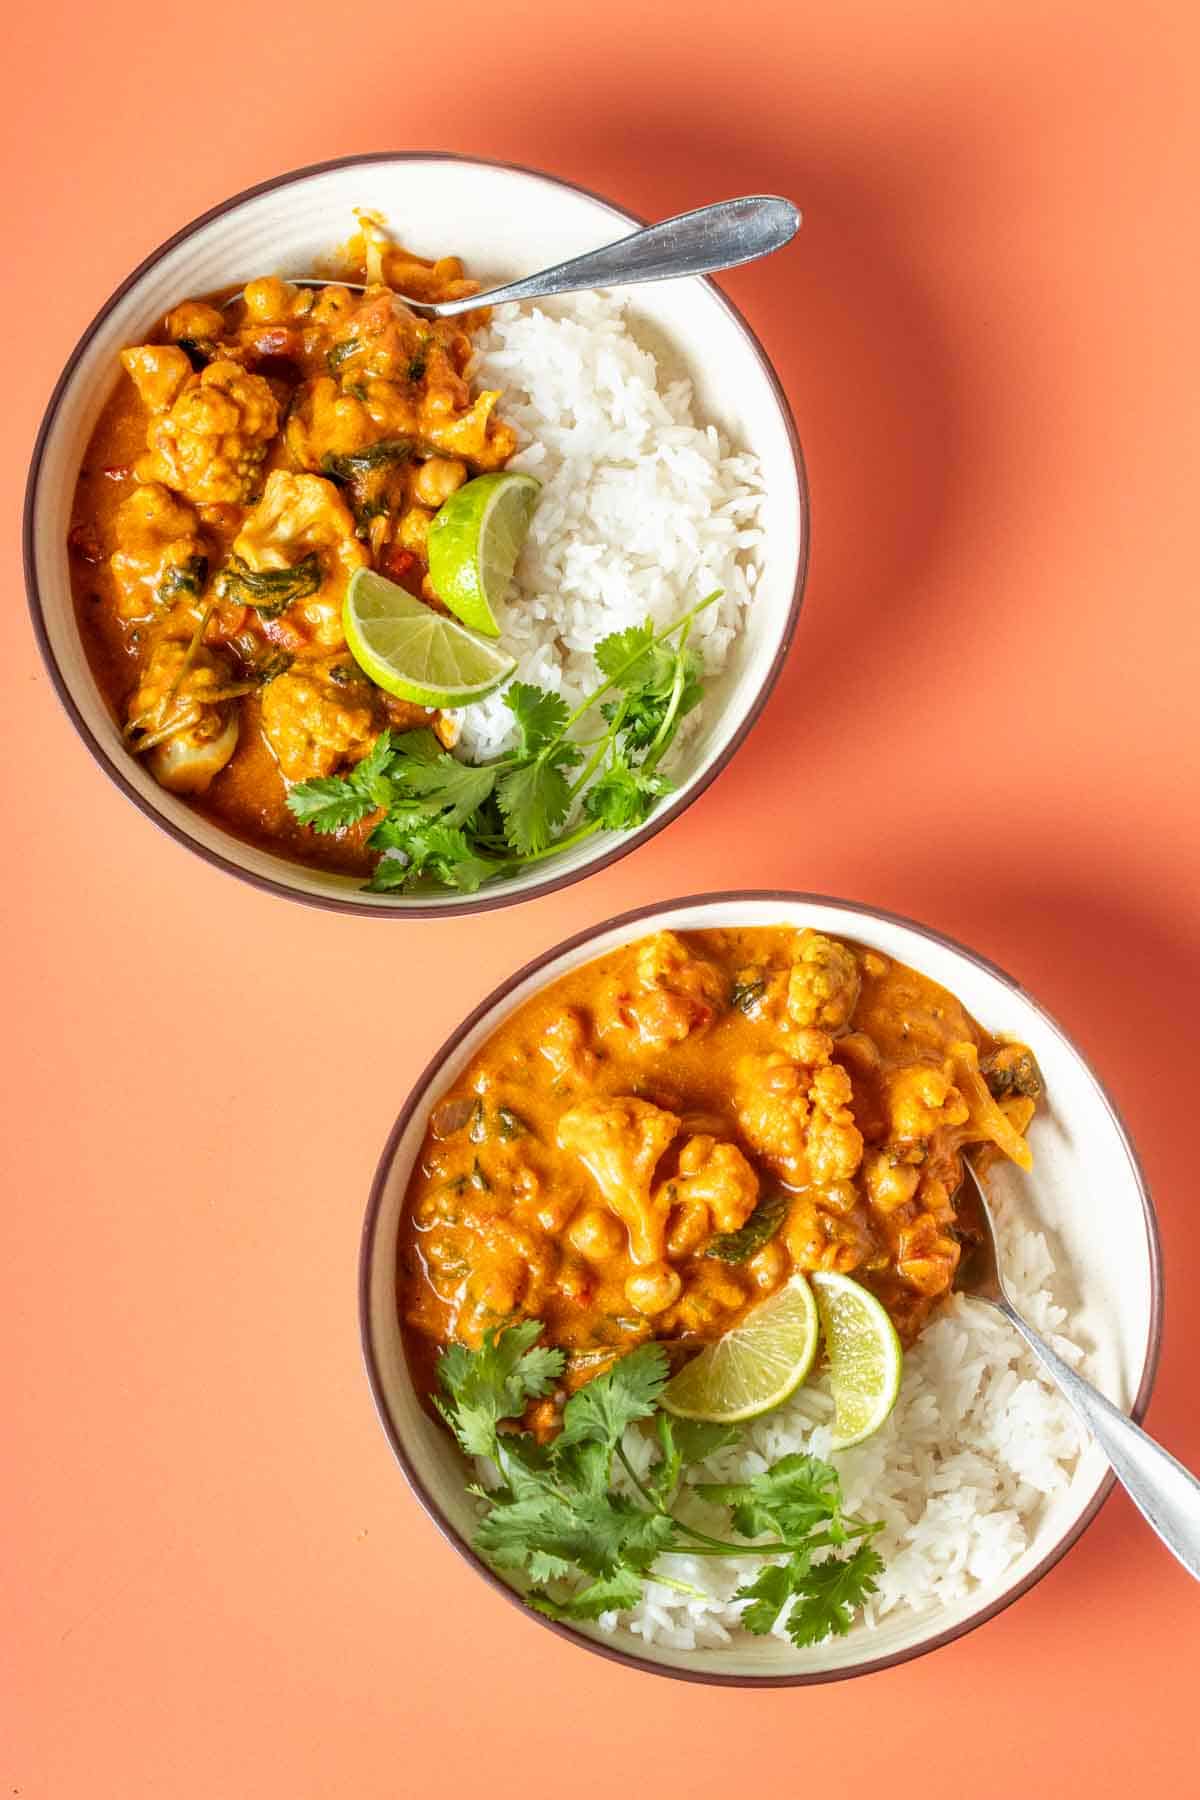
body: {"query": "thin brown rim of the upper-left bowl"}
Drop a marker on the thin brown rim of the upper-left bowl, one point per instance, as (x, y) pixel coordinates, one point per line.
(348, 904)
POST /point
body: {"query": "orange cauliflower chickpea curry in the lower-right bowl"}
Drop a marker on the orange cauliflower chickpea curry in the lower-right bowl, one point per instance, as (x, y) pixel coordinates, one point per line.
(613, 1135)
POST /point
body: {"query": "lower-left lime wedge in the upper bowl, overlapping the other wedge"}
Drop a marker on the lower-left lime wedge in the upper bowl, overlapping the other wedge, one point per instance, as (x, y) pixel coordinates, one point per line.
(415, 652)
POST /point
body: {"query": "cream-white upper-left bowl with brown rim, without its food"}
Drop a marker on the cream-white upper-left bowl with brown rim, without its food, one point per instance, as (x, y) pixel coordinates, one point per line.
(505, 222)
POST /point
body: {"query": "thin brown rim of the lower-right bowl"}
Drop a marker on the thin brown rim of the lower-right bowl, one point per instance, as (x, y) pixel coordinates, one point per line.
(429, 1502)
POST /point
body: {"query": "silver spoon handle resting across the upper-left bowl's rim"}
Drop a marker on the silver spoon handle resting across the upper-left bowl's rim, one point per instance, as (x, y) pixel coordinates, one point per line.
(695, 244)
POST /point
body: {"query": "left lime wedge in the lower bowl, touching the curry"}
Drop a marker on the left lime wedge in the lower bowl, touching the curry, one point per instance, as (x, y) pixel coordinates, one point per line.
(753, 1367)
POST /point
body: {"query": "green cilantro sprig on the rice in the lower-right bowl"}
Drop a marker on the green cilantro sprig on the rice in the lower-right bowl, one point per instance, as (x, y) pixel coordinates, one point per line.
(578, 1547)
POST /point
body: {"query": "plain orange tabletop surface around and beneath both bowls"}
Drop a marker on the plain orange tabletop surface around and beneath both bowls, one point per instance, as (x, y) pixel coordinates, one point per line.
(219, 1581)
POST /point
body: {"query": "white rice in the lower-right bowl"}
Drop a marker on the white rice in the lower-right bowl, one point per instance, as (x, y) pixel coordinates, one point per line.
(962, 1471)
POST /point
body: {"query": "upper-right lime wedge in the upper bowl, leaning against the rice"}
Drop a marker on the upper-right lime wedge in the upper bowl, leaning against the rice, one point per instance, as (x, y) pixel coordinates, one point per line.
(474, 543)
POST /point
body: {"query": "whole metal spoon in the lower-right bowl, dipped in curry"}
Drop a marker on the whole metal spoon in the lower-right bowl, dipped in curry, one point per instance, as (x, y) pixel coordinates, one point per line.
(1158, 1484)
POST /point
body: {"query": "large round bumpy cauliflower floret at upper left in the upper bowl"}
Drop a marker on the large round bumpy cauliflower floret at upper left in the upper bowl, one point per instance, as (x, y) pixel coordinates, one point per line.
(213, 440)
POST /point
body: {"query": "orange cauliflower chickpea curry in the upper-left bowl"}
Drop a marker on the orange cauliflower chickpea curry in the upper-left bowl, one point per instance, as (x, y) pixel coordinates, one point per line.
(222, 438)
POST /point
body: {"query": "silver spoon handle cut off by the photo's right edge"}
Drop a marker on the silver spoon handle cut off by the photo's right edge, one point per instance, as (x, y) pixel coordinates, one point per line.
(1158, 1484)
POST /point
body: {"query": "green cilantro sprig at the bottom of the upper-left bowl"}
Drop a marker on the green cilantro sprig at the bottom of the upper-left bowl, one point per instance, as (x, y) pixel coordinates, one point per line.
(460, 825)
